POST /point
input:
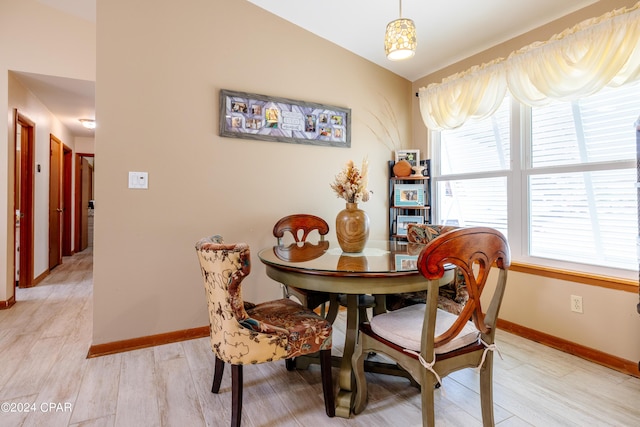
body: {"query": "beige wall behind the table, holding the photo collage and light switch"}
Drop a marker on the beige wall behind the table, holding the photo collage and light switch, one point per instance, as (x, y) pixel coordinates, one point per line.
(159, 76)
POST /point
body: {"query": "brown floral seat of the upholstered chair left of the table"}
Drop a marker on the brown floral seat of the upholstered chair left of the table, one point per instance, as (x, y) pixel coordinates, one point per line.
(306, 331)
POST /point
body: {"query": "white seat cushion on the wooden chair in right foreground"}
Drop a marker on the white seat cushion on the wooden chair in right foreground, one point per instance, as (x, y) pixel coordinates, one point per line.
(404, 328)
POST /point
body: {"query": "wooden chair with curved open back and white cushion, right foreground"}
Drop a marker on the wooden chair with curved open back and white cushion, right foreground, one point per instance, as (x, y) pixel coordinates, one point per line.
(429, 342)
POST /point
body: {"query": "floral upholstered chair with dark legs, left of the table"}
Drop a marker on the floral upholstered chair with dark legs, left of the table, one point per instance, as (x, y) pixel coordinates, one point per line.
(245, 333)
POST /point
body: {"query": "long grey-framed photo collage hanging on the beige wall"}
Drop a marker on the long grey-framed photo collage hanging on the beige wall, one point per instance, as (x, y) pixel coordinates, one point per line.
(267, 118)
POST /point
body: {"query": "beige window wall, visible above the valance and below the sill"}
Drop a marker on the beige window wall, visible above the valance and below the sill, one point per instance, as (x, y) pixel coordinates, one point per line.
(610, 322)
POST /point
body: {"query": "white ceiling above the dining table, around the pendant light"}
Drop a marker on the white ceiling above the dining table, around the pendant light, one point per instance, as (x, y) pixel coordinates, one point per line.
(448, 31)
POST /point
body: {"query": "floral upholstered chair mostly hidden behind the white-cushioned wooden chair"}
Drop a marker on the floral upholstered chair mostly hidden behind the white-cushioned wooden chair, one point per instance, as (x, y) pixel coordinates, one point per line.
(453, 296)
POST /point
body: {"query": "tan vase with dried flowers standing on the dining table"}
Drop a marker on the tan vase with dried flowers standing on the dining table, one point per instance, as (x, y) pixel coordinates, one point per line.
(352, 223)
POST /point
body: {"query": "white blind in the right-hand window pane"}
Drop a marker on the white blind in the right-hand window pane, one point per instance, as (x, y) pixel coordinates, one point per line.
(582, 193)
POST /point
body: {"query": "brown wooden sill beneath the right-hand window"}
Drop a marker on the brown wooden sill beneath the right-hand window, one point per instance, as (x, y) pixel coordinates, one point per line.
(620, 284)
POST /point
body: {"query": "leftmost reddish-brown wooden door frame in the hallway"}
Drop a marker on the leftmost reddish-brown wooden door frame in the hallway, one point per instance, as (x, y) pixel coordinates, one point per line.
(24, 196)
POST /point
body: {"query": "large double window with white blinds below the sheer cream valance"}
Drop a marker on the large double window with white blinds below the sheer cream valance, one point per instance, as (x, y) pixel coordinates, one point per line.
(559, 180)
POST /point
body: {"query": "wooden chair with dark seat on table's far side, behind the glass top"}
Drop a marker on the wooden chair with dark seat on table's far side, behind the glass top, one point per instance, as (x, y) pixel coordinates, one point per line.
(300, 226)
